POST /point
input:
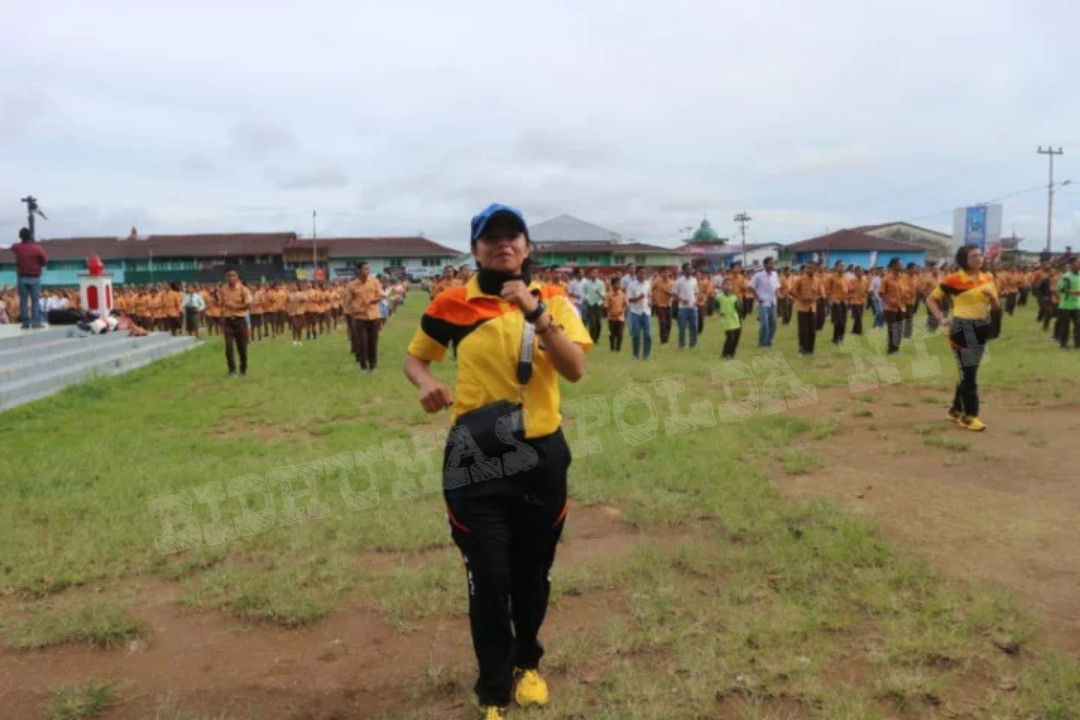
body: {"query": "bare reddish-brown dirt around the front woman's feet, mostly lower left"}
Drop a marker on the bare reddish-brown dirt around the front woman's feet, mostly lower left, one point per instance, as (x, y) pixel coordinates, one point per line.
(353, 665)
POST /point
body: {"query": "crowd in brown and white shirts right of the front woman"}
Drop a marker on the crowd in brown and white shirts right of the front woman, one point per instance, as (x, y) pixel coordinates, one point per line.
(846, 300)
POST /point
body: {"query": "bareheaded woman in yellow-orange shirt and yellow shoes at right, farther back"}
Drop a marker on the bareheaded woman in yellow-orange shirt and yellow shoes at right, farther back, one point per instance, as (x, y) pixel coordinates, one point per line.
(975, 296)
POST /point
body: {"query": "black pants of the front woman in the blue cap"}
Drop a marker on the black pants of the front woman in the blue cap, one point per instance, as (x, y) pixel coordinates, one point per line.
(508, 536)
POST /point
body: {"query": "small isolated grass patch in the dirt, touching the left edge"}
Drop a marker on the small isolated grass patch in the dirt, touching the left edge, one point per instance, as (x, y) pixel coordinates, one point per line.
(98, 624)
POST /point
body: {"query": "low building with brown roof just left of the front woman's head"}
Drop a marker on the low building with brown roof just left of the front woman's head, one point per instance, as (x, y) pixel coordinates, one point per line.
(416, 256)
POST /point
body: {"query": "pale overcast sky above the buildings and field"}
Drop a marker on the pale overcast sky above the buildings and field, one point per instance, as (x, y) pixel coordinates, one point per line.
(393, 118)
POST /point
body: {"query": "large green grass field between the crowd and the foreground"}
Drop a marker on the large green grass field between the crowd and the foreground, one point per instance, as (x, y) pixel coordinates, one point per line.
(309, 488)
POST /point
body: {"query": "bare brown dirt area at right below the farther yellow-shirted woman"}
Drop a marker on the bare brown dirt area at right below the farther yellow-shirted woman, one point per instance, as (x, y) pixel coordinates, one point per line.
(1004, 511)
